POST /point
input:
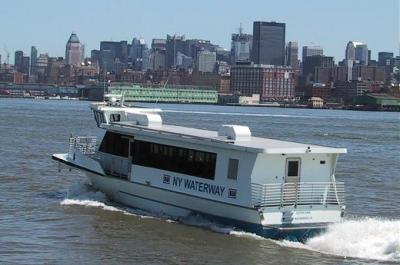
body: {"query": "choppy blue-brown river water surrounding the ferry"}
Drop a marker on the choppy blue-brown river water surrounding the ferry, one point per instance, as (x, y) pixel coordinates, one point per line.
(51, 217)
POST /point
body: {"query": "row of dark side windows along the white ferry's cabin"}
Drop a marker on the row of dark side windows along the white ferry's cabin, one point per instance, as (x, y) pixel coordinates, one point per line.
(177, 159)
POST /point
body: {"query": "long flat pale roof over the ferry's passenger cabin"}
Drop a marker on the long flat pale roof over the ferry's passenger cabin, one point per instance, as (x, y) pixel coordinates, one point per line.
(252, 144)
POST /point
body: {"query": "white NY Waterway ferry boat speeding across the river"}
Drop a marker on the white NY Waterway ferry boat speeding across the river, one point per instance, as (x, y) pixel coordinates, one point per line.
(276, 189)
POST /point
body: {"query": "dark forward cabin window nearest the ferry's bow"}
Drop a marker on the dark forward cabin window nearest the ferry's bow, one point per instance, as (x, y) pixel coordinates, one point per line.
(115, 144)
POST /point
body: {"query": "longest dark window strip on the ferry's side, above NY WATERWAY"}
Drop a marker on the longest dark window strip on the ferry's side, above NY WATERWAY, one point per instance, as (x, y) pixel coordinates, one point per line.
(177, 159)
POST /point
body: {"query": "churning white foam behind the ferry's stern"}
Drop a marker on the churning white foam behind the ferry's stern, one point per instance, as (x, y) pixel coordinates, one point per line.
(366, 238)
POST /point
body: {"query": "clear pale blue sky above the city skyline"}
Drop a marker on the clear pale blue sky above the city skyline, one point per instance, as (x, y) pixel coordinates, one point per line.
(47, 24)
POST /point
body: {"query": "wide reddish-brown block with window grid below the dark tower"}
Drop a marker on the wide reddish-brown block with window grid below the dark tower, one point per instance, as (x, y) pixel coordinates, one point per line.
(271, 82)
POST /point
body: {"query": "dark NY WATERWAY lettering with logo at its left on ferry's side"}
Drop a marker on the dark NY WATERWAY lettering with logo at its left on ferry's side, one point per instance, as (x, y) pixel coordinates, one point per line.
(196, 186)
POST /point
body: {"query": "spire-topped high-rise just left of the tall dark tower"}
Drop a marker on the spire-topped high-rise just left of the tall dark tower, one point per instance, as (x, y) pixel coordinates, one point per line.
(241, 47)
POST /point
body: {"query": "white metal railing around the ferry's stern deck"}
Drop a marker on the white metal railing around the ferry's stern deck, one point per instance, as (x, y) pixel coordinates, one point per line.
(293, 194)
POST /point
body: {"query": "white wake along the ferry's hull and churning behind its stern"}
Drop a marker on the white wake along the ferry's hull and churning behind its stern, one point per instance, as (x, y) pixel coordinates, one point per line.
(365, 238)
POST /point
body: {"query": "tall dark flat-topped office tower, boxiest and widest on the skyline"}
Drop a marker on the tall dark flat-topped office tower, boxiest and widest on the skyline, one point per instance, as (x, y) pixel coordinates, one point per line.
(268, 43)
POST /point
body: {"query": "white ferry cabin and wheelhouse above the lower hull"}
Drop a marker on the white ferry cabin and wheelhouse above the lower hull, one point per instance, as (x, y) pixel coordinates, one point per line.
(229, 164)
